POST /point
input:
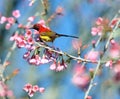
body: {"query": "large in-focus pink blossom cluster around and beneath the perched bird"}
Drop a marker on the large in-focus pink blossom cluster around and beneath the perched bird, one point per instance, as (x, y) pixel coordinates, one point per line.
(35, 54)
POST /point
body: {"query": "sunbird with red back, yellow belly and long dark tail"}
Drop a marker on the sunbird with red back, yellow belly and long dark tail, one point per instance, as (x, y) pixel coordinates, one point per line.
(47, 34)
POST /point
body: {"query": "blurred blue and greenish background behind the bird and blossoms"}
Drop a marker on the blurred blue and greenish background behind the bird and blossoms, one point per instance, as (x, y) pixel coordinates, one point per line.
(77, 19)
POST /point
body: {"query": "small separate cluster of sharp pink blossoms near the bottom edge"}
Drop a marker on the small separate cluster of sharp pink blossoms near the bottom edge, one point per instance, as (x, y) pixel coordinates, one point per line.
(31, 90)
